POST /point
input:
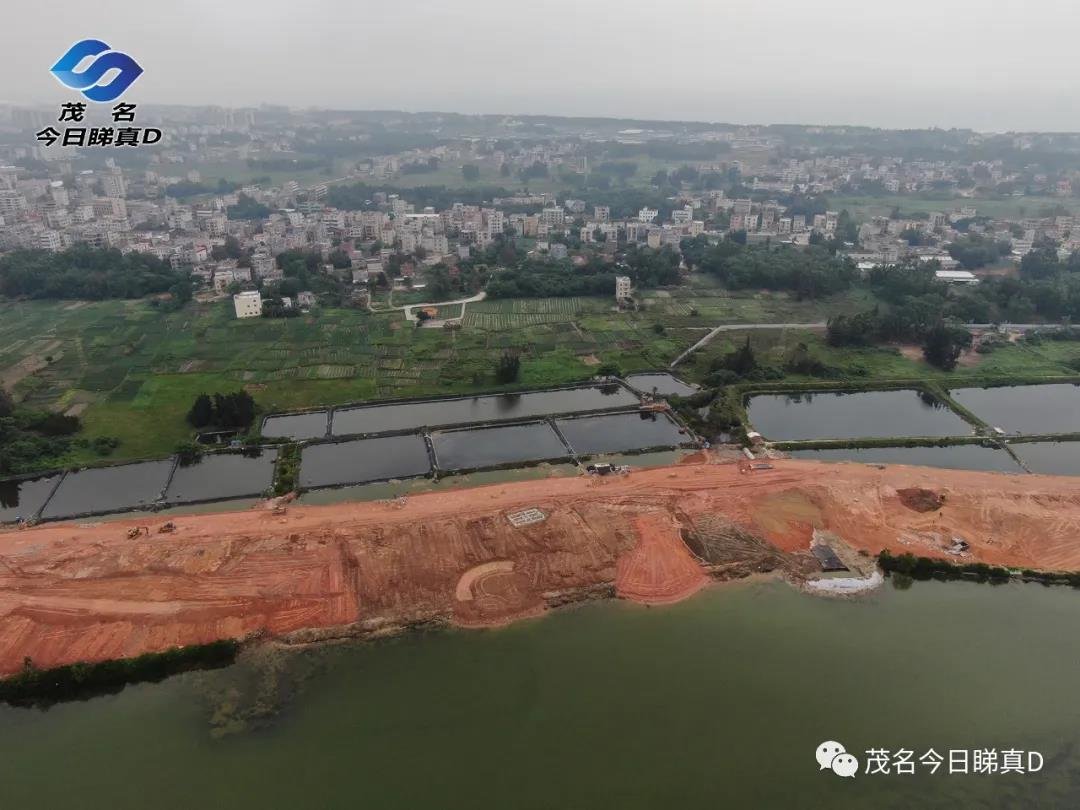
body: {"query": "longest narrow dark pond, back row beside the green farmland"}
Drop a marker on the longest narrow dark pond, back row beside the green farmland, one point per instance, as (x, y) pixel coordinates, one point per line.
(448, 413)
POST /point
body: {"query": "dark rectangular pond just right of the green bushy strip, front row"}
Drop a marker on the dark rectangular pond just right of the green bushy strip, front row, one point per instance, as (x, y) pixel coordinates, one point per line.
(364, 461)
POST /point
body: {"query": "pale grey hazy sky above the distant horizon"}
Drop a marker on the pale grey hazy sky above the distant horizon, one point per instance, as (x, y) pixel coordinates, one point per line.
(1001, 65)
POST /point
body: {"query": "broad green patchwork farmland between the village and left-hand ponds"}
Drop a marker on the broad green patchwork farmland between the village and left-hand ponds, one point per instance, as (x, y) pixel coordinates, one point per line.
(132, 372)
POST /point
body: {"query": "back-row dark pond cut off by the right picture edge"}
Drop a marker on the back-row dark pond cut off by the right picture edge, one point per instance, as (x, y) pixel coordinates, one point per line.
(1025, 409)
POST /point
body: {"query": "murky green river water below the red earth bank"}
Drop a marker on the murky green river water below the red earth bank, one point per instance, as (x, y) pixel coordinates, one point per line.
(720, 701)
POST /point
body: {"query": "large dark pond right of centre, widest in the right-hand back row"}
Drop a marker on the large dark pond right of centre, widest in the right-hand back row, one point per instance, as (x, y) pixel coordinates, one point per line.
(860, 415)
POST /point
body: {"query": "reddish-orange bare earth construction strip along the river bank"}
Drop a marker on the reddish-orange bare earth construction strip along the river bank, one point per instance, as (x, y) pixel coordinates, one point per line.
(491, 556)
